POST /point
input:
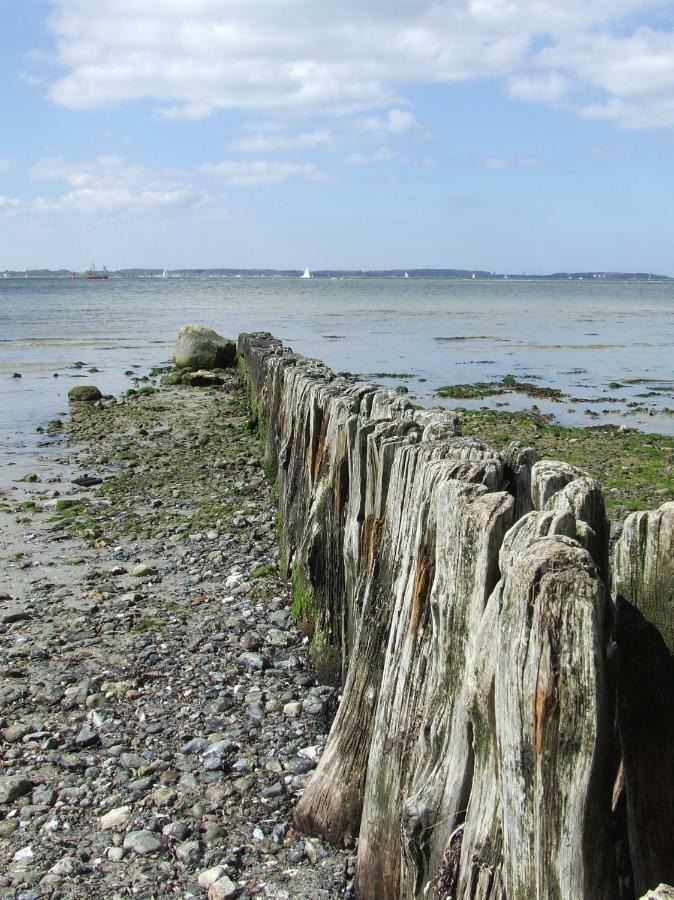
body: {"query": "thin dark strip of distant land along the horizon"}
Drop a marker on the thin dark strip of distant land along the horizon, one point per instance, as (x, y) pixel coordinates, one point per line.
(457, 274)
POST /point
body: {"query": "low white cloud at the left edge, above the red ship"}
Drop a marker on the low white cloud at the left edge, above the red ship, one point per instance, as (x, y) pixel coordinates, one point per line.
(105, 186)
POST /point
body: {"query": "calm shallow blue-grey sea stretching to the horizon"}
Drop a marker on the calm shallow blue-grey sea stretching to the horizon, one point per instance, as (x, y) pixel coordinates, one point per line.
(608, 346)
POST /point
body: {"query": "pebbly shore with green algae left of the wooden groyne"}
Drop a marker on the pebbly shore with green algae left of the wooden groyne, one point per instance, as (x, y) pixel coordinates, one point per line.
(160, 714)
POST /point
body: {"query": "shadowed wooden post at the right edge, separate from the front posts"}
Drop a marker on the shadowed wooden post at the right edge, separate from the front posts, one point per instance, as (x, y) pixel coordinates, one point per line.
(644, 633)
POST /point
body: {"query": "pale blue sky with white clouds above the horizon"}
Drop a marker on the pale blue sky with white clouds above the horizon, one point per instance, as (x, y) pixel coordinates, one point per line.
(505, 135)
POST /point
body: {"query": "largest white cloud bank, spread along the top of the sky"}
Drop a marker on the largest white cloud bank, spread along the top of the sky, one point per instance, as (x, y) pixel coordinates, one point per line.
(195, 57)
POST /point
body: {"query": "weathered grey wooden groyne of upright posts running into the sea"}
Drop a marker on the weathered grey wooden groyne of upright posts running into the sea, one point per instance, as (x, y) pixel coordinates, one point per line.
(506, 728)
